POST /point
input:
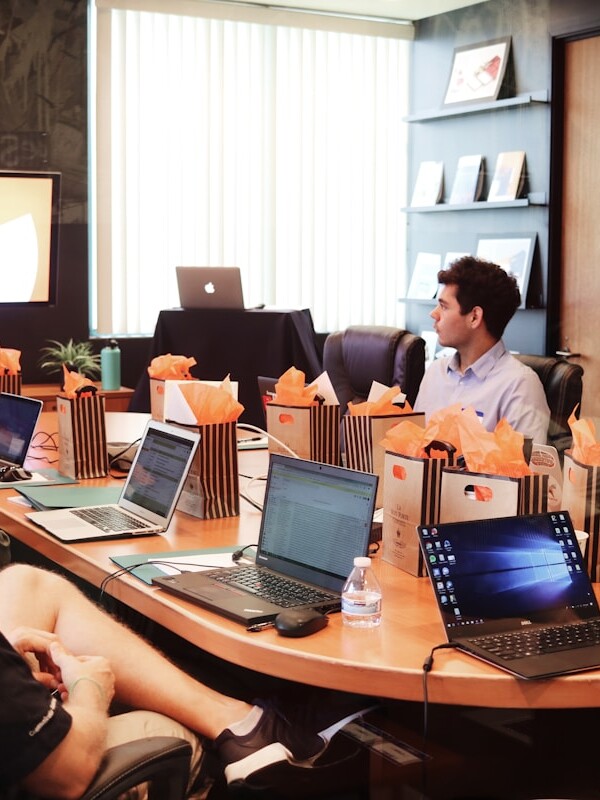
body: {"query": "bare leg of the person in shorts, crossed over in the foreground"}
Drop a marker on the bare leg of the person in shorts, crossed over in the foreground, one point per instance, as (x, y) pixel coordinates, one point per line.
(144, 677)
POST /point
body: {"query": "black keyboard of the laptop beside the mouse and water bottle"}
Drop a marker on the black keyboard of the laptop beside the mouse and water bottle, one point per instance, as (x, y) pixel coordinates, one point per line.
(274, 588)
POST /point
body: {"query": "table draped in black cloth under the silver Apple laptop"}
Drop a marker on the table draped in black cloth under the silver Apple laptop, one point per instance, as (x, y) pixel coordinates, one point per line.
(243, 344)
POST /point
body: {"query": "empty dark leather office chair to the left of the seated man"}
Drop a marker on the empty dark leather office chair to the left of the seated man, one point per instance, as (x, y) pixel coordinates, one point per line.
(357, 356)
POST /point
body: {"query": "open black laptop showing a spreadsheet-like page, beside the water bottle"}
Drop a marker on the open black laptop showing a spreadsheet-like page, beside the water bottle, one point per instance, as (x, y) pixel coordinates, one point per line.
(316, 518)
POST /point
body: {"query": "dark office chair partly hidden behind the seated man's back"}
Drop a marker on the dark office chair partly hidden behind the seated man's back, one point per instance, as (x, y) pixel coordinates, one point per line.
(563, 385)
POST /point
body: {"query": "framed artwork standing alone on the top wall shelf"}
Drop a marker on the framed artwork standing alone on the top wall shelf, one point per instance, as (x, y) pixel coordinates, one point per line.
(478, 72)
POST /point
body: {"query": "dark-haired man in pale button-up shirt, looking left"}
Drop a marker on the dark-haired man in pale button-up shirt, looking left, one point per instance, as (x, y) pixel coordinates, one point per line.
(477, 301)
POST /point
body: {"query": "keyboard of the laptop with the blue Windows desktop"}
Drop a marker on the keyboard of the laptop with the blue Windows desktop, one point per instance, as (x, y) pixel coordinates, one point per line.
(524, 643)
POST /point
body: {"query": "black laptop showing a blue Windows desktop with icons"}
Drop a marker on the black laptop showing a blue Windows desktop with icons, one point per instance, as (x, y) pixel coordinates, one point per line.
(515, 592)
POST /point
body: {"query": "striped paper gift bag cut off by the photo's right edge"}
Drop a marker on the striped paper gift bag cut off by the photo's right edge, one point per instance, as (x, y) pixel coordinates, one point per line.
(581, 498)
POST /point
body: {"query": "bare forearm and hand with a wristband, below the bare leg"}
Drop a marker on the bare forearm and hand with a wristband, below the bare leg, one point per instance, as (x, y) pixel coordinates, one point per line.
(87, 685)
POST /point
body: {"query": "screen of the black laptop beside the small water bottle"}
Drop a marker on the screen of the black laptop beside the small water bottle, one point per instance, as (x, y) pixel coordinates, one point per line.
(316, 519)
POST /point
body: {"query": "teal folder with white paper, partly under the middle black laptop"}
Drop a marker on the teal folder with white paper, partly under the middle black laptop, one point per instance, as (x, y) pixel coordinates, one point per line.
(181, 560)
